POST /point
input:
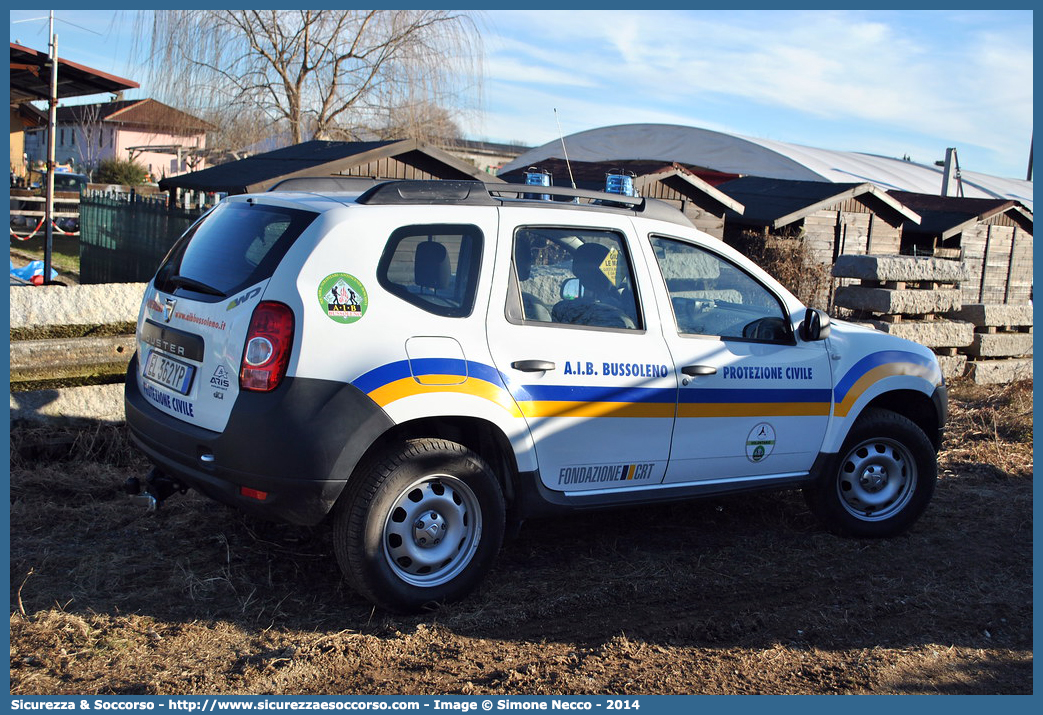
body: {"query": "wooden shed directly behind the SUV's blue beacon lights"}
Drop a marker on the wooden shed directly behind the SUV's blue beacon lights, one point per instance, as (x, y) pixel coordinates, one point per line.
(687, 188)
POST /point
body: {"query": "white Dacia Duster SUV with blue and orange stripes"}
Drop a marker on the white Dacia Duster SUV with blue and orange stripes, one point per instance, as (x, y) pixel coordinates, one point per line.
(427, 363)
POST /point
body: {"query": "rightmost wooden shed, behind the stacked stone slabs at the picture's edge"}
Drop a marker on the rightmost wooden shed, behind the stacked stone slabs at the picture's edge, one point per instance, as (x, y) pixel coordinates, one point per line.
(993, 238)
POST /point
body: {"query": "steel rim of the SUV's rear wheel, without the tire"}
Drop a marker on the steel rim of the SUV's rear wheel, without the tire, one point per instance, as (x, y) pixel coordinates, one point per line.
(432, 531)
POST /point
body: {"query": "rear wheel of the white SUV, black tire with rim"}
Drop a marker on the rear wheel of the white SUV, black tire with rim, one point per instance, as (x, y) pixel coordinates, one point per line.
(421, 527)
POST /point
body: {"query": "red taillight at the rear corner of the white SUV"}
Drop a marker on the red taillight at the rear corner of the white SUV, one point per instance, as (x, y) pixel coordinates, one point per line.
(268, 351)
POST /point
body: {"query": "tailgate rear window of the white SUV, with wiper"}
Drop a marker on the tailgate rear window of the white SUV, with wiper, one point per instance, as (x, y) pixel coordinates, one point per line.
(233, 248)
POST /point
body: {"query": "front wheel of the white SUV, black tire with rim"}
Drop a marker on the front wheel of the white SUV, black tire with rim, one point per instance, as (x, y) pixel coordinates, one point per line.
(881, 482)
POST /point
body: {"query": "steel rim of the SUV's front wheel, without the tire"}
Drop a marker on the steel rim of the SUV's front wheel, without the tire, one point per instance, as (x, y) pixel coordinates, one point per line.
(877, 480)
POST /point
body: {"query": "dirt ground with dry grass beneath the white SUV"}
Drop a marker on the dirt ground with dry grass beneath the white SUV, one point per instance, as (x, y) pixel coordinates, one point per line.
(744, 595)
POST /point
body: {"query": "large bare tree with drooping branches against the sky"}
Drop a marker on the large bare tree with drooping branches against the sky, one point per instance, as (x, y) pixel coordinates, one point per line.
(320, 72)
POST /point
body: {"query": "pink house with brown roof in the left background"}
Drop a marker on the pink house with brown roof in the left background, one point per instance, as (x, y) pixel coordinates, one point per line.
(166, 141)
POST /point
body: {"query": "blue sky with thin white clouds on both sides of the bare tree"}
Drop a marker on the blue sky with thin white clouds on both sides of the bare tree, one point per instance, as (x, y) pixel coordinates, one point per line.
(891, 83)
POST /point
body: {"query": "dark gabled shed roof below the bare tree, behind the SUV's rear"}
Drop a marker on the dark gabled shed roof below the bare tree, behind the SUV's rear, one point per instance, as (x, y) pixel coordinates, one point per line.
(320, 159)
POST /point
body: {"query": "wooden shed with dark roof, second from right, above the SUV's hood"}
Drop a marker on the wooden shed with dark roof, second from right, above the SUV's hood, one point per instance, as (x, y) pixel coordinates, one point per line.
(836, 219)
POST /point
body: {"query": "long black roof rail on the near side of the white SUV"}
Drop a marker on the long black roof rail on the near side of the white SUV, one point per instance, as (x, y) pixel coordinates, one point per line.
(478, 193)
